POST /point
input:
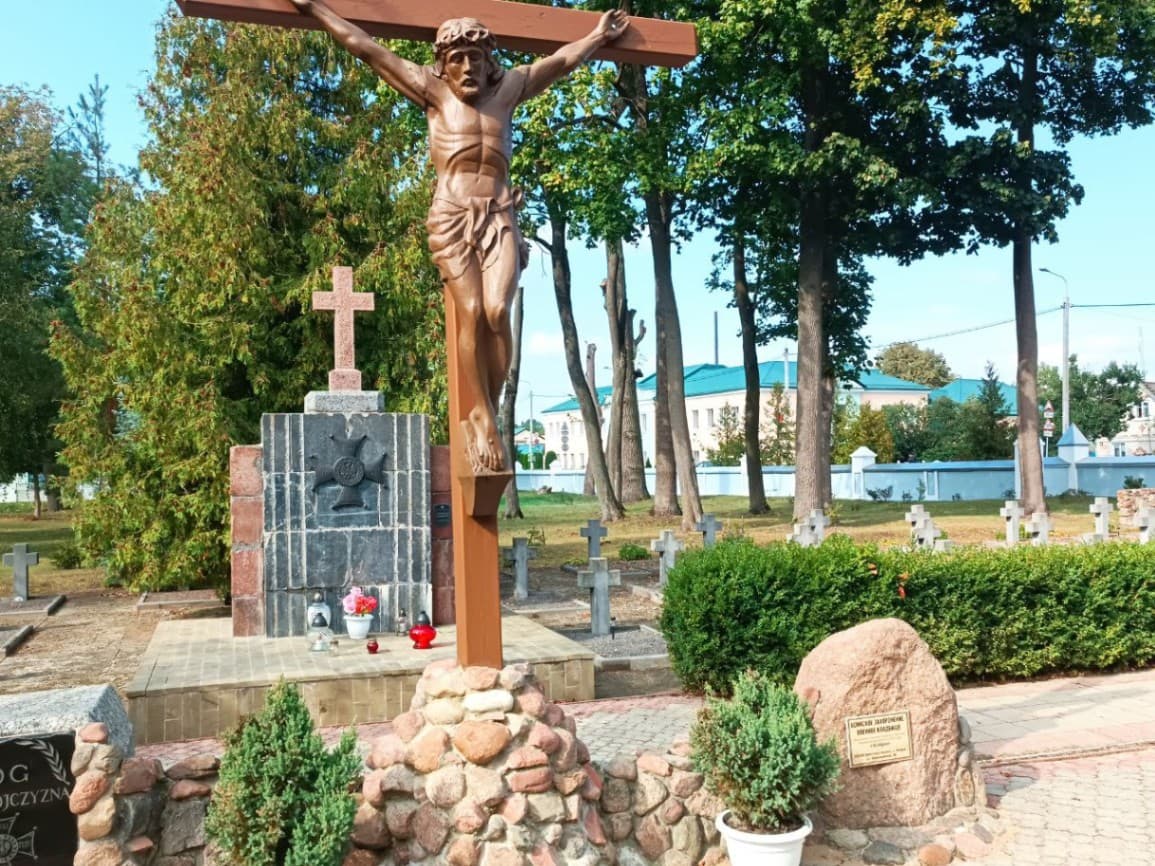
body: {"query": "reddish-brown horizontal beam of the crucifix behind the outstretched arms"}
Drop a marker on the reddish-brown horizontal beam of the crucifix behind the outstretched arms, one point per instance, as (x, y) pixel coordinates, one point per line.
(519, 27)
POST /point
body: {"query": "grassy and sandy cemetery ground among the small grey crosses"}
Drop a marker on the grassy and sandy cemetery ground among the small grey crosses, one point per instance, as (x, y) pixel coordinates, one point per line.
(101, 634)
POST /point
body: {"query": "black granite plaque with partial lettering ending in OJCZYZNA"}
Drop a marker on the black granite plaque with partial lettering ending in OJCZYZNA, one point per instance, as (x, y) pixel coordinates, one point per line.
(36, 826)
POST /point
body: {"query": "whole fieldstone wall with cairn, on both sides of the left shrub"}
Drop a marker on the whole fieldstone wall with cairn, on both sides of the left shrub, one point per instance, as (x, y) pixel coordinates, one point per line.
(482, 771)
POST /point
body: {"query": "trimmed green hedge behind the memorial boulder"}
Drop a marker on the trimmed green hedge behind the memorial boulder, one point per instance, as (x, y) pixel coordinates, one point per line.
(985, 613)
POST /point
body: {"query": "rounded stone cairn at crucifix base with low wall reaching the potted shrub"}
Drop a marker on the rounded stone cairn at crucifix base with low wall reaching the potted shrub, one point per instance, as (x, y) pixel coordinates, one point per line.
(483, 770)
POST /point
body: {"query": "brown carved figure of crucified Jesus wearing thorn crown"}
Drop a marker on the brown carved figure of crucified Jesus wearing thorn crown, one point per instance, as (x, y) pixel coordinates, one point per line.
(473, 225)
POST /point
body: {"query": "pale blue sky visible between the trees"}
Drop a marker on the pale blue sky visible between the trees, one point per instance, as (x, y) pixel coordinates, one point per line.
(1102, 251)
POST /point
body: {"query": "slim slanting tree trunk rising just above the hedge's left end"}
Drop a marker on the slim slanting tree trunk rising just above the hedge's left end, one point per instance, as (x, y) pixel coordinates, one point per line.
(669, 330)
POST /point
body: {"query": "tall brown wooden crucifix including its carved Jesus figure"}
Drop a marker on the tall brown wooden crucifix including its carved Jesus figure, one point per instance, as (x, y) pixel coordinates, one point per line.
(470, 102)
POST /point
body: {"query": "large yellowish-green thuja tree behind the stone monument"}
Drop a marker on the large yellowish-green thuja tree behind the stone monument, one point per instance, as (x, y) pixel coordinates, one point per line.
(274, 158)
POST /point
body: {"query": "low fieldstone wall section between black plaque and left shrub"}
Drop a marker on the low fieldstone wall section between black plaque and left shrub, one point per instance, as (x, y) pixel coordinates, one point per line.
(131, 811)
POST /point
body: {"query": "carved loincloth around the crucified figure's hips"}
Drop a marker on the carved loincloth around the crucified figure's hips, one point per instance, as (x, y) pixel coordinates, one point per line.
(461, 233)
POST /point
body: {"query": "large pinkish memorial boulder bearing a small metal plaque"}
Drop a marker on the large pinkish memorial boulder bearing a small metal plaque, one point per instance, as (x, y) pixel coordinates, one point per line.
(877, 690)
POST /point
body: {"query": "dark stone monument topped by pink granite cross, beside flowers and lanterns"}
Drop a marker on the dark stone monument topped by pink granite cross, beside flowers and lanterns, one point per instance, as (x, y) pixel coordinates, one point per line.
(333, 498)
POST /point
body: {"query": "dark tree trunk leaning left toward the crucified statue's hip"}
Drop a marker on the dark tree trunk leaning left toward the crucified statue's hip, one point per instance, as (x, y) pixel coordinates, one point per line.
(607, 497)
